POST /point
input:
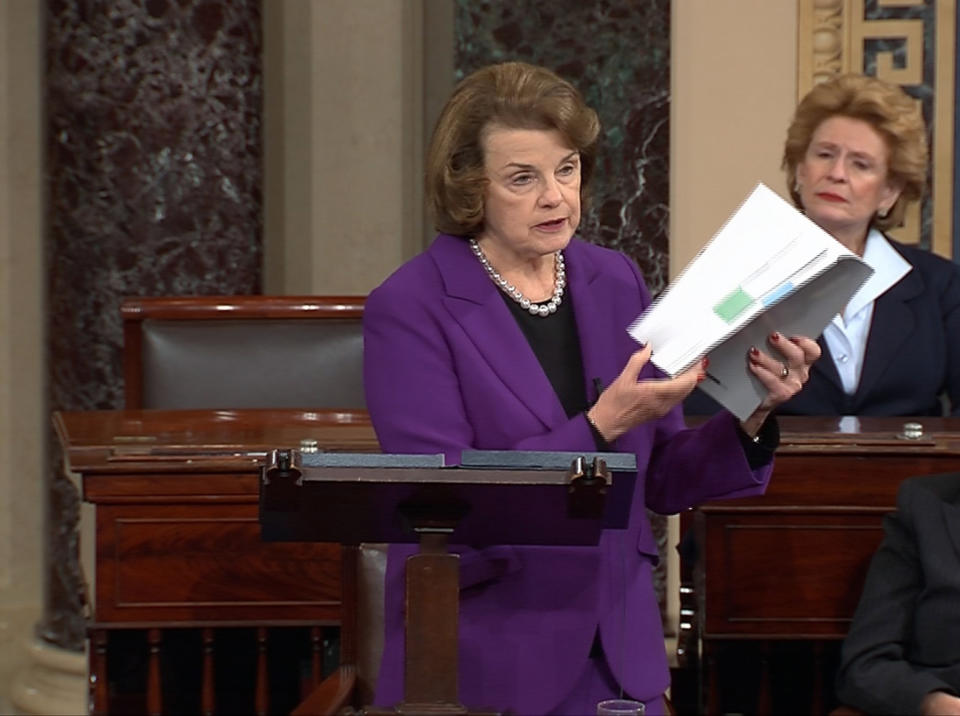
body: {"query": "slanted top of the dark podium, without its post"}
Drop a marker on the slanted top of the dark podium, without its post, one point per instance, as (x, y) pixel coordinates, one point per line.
(393, 498)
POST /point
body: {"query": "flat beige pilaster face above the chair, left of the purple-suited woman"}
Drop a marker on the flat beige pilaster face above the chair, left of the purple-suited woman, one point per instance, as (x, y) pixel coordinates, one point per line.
(358, 158)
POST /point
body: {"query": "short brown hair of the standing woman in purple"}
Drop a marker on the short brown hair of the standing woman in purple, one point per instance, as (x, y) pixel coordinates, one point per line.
(515, 95)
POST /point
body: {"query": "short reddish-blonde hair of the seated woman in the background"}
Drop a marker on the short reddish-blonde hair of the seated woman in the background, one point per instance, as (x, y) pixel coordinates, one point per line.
(886, 108)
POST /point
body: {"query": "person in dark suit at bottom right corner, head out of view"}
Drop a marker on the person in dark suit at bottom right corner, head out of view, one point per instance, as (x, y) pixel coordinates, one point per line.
(902, 653)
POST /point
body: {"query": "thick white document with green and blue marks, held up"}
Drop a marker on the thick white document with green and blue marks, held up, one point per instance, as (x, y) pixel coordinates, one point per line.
(769, 268)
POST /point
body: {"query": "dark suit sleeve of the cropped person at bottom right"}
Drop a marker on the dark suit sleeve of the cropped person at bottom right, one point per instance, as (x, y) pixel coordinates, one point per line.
(875, 675)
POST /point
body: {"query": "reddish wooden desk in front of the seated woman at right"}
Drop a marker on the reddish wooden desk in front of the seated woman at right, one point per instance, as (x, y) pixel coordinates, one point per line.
(790, 565)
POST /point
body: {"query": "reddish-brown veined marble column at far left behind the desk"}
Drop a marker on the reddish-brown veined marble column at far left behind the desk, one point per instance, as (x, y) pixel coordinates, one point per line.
(154, 179)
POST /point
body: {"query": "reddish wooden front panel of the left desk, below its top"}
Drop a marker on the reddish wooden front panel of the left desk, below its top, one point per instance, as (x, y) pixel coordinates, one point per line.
(199, 563)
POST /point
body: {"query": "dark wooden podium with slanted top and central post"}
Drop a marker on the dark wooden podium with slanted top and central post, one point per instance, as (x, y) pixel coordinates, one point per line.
(491, 497)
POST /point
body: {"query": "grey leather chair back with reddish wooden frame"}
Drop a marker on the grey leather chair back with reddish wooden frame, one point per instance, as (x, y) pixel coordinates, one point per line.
(235, 352)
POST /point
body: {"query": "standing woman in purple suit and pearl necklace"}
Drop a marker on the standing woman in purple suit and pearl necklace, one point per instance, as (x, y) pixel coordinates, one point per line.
(509, 333)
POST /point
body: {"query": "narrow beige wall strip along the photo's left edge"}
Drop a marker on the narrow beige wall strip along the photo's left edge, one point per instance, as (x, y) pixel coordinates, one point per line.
(22, 404)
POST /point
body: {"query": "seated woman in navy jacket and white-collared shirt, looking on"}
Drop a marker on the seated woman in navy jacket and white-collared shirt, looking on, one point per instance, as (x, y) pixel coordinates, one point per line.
(855, 158)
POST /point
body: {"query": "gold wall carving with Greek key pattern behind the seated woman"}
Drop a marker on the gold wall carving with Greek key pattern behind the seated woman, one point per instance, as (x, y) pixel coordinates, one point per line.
(908, 42)
